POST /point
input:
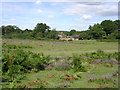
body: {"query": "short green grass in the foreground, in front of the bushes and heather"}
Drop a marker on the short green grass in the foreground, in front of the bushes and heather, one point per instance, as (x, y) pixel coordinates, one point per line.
(99, 70)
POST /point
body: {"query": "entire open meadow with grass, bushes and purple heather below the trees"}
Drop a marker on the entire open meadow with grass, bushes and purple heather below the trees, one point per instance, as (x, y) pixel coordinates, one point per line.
(58, 64)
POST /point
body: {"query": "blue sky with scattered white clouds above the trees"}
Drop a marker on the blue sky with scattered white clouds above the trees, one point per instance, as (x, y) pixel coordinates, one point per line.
(62, 16)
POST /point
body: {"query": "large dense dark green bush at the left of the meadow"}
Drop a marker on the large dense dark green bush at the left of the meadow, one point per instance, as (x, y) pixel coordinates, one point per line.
(18, 62)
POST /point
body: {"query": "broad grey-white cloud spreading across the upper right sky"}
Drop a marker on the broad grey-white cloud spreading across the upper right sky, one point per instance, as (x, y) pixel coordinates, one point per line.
(97, 9)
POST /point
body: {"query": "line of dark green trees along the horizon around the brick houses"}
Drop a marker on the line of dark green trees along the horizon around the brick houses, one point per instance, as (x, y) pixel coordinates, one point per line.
(107, 29)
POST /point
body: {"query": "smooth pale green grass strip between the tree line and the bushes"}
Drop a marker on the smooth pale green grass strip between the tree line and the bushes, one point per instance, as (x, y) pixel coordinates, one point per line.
(57, 48)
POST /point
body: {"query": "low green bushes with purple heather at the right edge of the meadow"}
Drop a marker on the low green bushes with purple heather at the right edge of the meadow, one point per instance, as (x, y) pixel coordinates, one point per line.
(100, 55)
